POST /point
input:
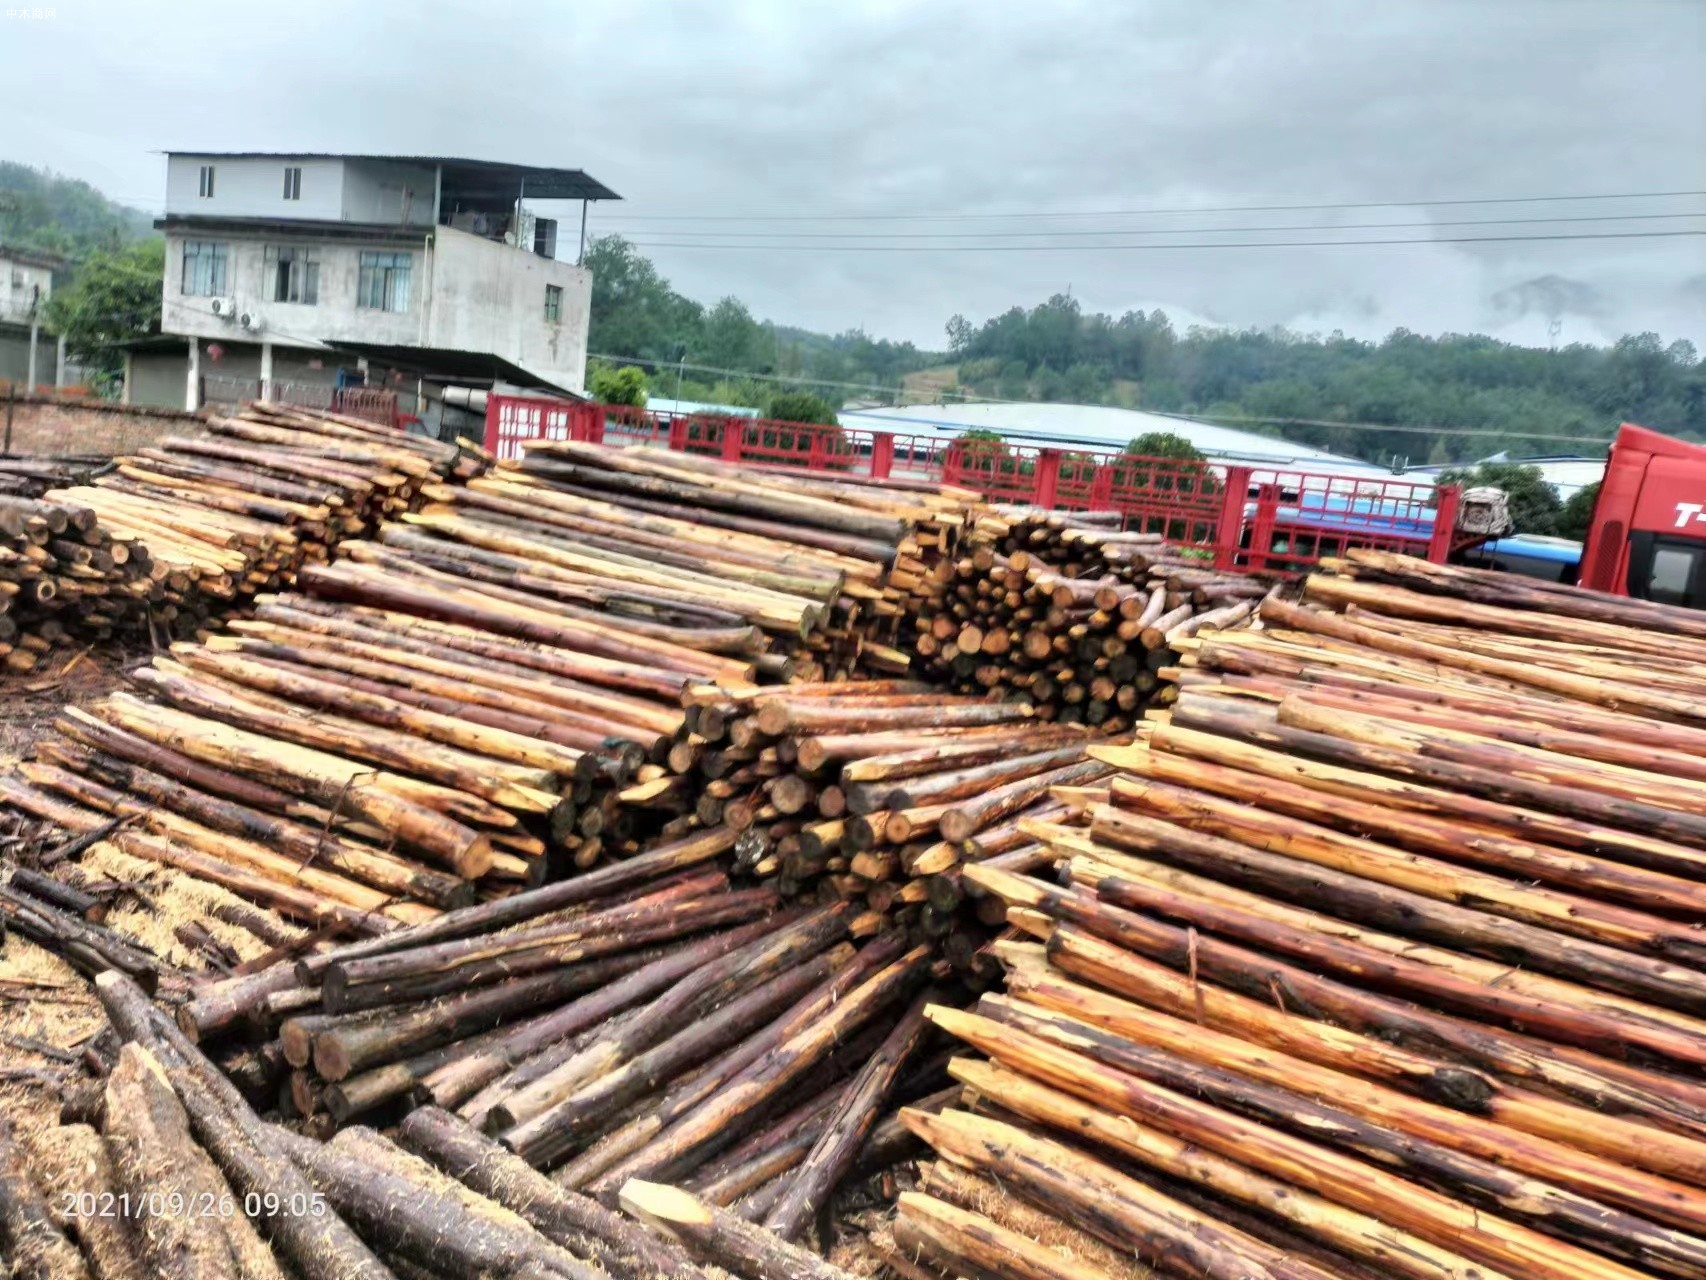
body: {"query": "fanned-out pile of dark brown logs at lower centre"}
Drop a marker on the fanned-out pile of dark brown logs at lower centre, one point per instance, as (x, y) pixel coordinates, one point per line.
(641, 1021)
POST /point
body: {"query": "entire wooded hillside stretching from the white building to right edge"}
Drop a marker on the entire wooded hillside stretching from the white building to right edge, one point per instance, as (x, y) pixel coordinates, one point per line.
(1514, 399)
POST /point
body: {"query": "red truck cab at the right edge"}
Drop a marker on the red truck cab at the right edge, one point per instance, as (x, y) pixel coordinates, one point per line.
(1649, 532)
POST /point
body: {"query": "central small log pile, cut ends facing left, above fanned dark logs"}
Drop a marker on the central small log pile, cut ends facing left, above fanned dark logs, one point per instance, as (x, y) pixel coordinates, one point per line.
(879, 793)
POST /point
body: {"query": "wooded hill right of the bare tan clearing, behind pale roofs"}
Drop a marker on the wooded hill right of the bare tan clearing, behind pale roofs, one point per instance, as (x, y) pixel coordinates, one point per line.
(1285, 381)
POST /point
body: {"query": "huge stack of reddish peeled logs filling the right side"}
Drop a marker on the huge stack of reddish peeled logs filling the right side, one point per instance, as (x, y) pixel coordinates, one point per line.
(1378, 960)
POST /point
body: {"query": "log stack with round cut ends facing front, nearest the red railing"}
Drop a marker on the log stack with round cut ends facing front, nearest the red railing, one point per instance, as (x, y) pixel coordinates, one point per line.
(1076, 620)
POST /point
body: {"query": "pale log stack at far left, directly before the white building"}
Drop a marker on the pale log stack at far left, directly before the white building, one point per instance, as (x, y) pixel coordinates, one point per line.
(262, 496)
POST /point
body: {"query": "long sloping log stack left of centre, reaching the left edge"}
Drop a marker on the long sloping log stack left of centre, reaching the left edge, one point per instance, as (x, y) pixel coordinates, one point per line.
(473, 697)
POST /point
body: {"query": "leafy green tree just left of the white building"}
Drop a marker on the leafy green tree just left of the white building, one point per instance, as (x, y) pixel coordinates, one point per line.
(113, 300)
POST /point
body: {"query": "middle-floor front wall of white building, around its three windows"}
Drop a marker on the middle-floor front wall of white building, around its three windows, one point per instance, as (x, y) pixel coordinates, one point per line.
(250, 286)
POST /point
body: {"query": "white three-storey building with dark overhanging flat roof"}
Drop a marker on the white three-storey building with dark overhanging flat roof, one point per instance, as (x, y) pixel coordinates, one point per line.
(286, 269)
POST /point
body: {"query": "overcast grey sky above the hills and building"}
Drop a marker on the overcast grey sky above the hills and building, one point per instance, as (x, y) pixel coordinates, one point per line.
(755, 112)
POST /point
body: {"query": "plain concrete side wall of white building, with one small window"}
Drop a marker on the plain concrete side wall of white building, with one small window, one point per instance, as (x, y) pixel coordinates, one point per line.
(490, 298)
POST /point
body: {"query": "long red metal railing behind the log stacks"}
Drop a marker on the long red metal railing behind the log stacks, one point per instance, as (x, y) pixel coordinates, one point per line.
(1246, 520)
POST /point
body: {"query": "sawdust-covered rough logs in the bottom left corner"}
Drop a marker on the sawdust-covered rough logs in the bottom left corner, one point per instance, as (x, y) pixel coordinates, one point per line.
(168, 1172)
